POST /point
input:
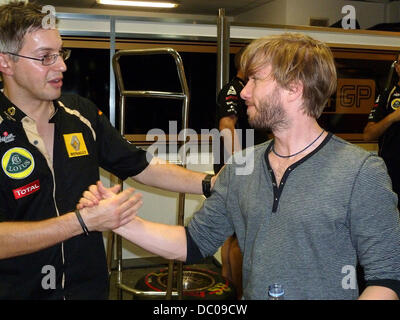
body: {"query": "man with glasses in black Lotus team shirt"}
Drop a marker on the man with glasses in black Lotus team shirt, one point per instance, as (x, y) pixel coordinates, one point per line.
(51, 148)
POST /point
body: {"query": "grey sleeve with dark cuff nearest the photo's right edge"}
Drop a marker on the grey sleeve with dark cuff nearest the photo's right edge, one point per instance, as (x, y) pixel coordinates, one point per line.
(374, 222)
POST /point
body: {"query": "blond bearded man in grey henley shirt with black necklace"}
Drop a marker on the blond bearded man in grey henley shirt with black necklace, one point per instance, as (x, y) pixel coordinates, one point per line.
(314, 206)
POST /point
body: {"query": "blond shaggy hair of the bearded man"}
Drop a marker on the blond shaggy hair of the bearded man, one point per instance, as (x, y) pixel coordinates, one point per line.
(294, 58)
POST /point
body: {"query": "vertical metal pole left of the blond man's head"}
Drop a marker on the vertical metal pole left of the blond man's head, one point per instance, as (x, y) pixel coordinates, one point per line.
(222, 50)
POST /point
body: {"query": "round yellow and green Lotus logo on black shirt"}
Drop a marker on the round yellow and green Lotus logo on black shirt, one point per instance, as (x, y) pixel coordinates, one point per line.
(17, 163)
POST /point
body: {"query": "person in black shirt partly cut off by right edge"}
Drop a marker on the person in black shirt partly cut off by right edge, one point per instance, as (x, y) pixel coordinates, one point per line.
(384, 125)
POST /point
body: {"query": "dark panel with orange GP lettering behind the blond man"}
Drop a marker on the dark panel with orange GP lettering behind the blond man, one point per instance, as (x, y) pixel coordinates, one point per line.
(359, 82)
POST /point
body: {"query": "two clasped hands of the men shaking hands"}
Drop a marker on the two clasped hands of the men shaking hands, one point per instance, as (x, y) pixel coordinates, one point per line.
(102, 209)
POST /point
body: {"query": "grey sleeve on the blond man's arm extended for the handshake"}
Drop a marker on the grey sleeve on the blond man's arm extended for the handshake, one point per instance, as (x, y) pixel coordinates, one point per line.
(211, 225)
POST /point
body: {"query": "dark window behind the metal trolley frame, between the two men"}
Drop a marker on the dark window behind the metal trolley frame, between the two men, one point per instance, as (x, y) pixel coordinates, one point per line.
(88, 75)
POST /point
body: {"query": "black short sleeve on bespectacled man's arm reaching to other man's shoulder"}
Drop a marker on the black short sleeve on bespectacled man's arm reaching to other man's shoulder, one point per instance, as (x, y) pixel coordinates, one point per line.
(116, 154)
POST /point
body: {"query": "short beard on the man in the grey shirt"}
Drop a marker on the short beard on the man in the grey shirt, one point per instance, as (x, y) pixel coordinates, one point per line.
(270, 114)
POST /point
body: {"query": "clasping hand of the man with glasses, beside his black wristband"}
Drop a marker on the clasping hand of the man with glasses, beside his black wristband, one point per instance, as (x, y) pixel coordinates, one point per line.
(113, 211)
